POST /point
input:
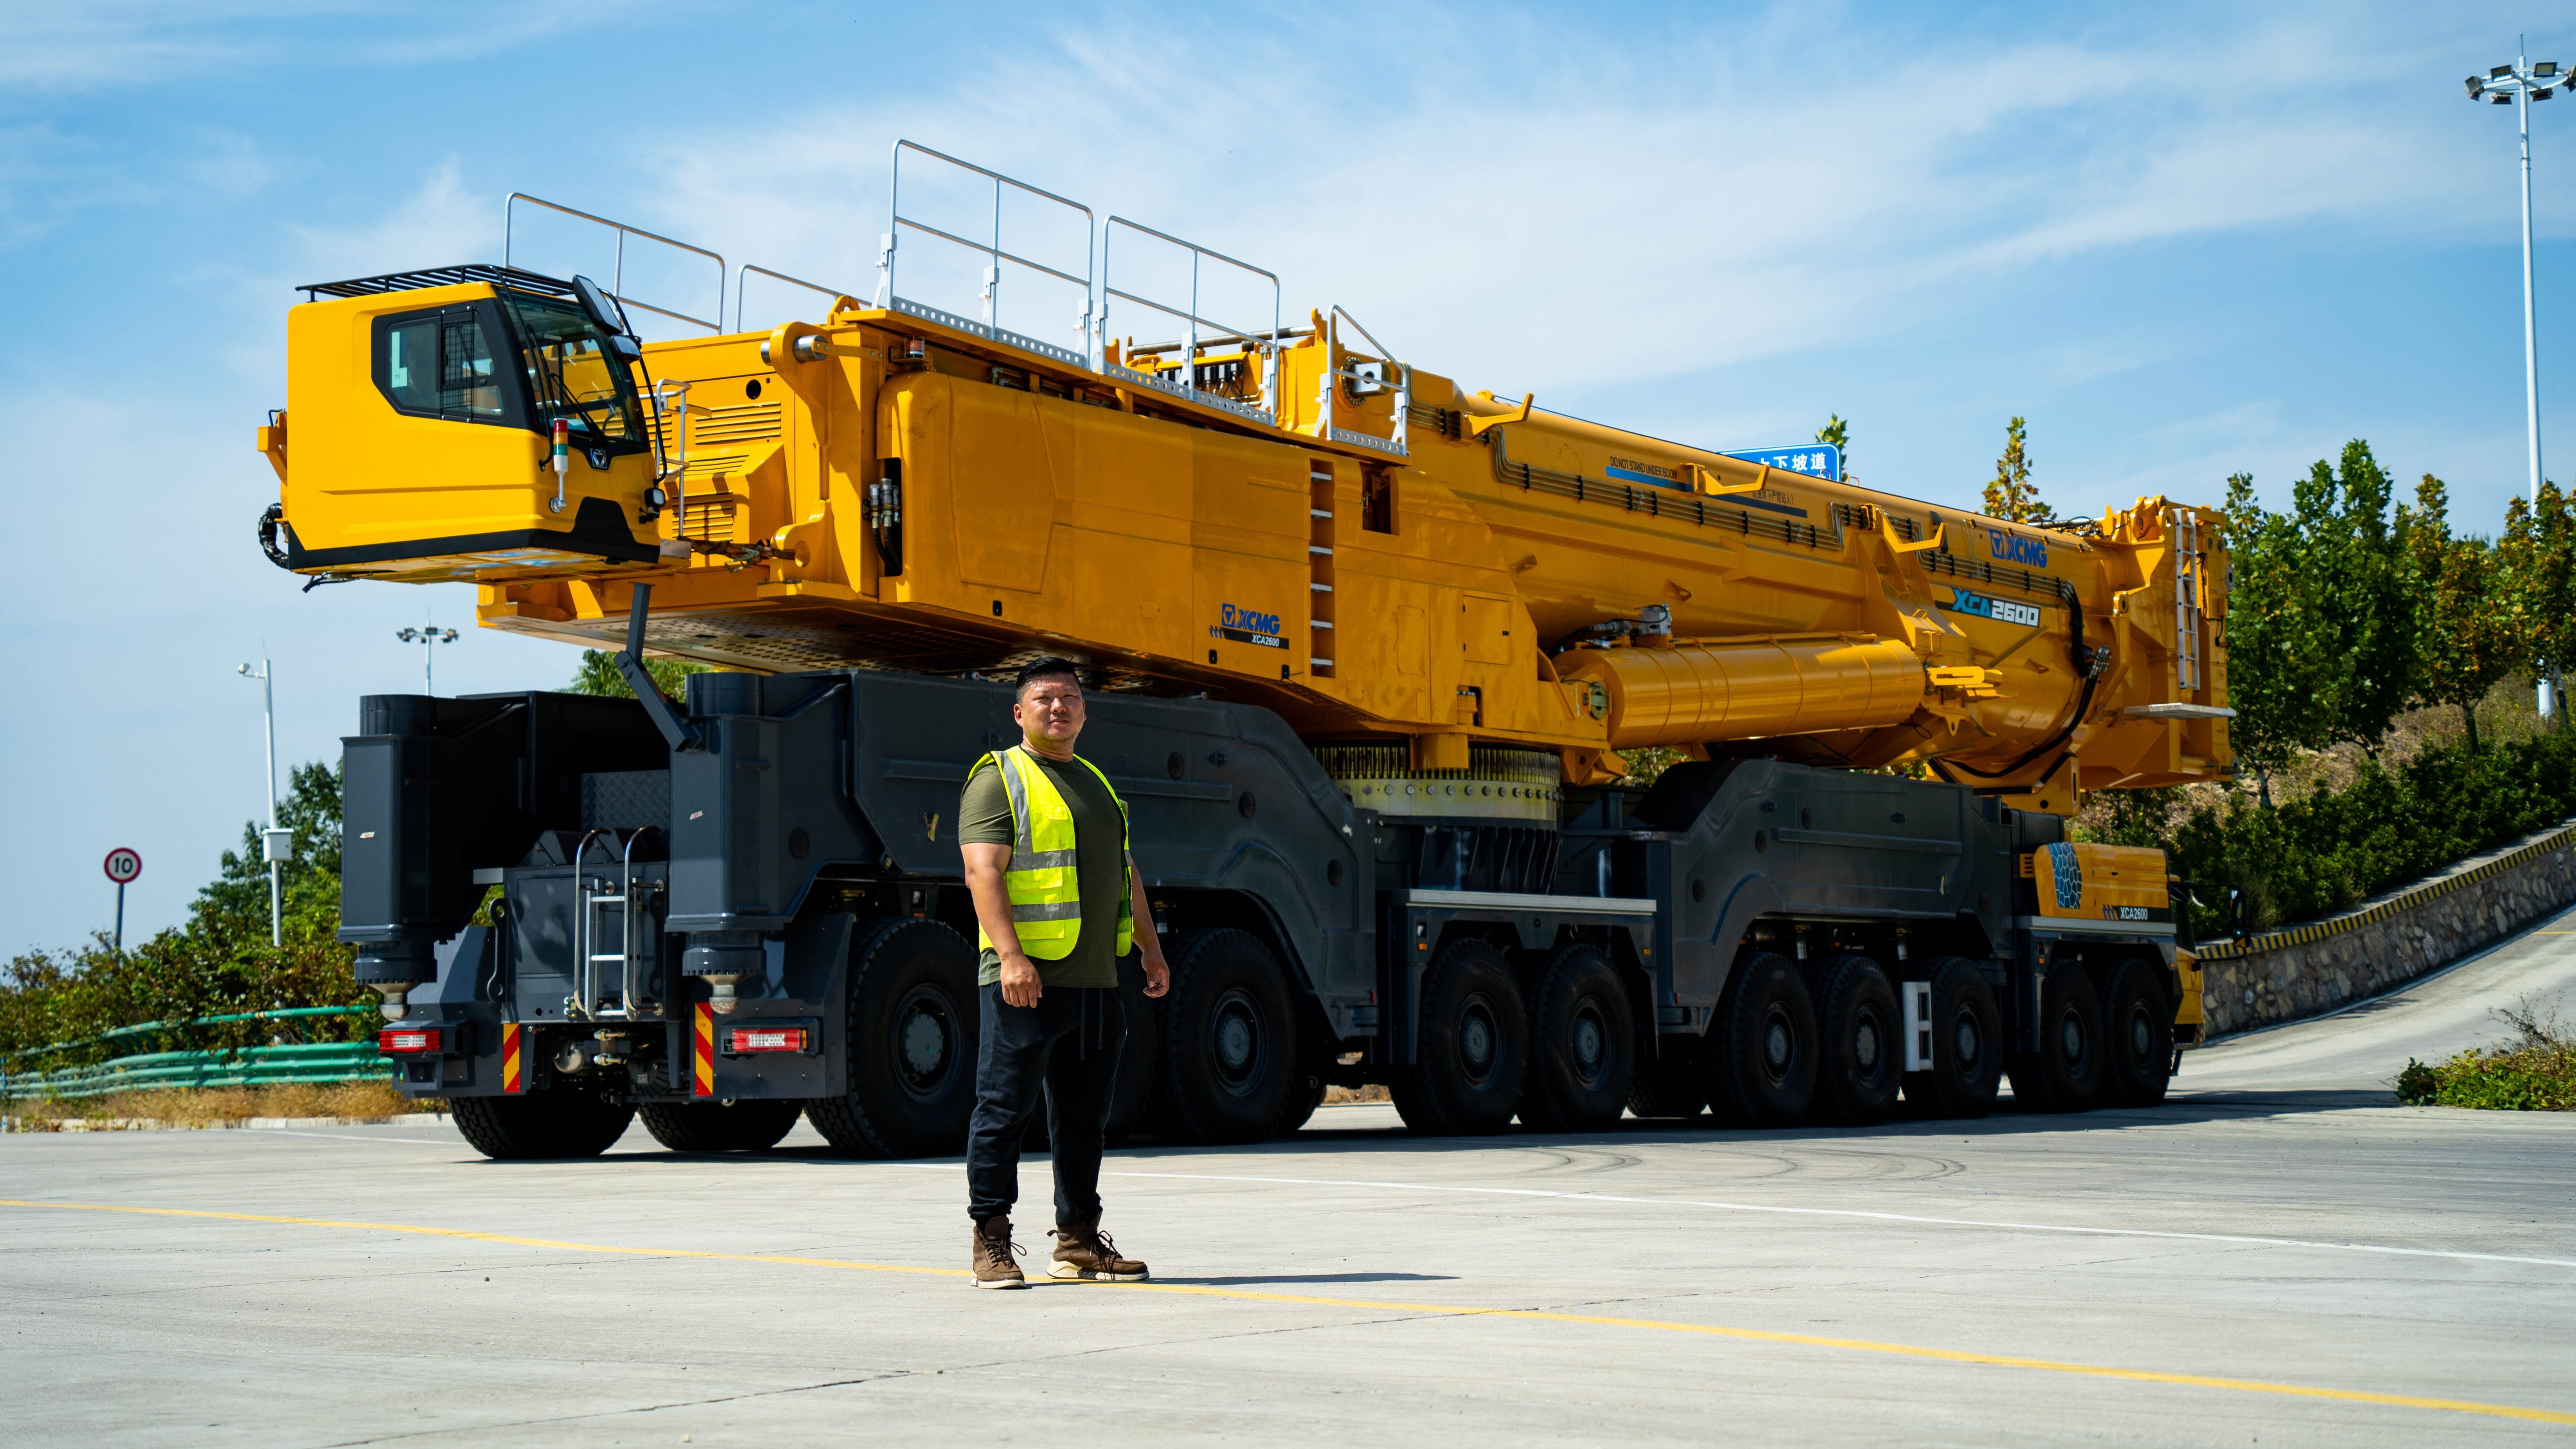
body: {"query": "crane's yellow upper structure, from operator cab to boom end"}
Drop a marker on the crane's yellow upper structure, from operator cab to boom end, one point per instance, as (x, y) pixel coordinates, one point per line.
(1292, 522)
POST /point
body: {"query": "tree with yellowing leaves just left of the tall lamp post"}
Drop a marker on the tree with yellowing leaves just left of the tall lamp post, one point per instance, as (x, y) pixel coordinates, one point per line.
(2469, 638)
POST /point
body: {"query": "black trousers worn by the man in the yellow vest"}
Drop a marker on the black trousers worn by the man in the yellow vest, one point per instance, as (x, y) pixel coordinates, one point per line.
(1065, 1045)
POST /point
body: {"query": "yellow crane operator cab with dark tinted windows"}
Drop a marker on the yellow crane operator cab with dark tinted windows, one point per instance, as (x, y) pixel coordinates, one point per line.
(462, 424)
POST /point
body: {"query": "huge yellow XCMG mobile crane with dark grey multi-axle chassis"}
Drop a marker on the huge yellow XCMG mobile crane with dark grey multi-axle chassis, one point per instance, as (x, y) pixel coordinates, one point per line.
(1431, 623)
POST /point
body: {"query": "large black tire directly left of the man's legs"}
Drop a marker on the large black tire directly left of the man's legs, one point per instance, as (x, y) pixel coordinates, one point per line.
(916, 1020)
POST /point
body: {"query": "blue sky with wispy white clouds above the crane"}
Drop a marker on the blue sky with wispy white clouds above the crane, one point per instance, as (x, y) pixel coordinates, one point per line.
(2183, 241)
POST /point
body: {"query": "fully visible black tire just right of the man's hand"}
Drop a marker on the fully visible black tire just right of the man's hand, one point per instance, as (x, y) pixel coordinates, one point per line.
(1227, 1040)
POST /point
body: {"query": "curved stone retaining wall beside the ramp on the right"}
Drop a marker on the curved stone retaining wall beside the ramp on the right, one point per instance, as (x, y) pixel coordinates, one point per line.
(2389, 940)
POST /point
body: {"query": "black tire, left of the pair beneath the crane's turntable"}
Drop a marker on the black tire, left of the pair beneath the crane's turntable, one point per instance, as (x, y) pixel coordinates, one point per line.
(1472, 1058)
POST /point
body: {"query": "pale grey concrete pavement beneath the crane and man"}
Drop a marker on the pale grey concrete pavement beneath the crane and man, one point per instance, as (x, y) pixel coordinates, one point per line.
(2276, 1257)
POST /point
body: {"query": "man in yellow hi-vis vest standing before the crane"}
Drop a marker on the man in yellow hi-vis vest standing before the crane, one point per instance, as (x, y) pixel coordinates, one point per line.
(1057, 904)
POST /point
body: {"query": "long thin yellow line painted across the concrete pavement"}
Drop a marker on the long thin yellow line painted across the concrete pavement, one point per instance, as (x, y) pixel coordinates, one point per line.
(1377, 1306)
